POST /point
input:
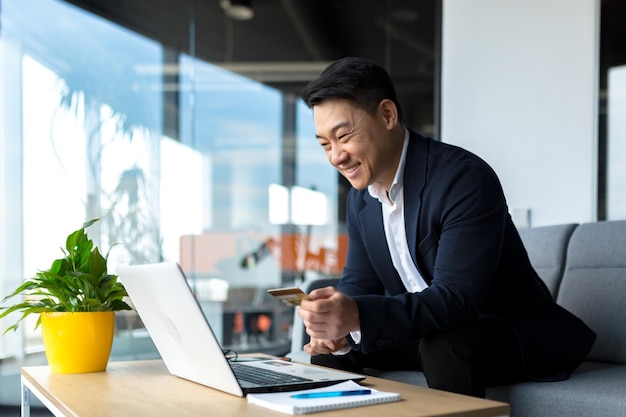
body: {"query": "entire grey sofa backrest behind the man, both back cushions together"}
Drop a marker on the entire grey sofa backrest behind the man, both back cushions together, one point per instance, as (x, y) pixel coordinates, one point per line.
(584, 266)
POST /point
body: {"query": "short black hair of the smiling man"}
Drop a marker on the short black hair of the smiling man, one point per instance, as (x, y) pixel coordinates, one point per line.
(358, 80)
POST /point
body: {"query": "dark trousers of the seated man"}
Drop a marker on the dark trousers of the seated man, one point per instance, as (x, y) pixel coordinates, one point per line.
(464, 360)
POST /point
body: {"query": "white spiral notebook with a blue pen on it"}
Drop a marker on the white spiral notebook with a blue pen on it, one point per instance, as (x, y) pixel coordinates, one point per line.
(285, 402)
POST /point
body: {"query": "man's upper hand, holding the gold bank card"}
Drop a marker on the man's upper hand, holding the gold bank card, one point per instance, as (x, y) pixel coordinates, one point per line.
(329, 315)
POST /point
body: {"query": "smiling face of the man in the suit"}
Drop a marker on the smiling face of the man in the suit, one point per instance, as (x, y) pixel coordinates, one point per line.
(357, 143)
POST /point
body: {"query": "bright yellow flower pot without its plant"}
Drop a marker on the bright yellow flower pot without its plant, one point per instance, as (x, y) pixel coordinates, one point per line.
(78, 342)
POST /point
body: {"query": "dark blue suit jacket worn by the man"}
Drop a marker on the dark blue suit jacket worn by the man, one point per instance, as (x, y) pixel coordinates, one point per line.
(468, 251)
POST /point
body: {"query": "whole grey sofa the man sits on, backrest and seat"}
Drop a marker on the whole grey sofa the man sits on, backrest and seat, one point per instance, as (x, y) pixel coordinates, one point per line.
(584, 266)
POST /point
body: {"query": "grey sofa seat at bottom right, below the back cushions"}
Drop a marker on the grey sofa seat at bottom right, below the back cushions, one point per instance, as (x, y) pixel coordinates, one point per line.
(595, 389)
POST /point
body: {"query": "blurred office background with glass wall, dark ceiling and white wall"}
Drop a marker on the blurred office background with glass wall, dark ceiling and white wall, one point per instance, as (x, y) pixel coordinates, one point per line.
(180, 127)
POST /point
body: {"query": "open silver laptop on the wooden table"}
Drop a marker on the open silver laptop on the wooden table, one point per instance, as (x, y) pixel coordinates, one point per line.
(183, 336)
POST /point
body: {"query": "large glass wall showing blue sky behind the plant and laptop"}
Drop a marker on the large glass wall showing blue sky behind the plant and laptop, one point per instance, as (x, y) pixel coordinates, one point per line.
(84, 134)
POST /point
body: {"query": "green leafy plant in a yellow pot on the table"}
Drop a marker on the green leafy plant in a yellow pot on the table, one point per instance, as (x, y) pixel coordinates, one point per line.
(76, 300)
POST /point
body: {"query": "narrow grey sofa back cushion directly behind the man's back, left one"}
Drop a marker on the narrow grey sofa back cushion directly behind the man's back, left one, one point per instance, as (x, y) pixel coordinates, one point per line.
(546, 247)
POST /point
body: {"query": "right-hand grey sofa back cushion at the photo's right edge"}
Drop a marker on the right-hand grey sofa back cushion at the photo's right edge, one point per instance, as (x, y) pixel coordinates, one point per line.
(593, 286)
